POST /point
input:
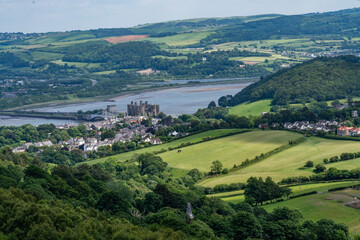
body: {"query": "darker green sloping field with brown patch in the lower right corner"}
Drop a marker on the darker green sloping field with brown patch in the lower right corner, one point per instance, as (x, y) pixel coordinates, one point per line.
(327, 205)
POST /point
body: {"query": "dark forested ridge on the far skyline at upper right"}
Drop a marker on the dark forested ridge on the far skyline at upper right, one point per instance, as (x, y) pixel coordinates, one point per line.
(297, 25)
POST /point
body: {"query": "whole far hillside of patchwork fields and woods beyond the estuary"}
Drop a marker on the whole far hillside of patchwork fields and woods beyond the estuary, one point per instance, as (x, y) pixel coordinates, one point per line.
(58, 66)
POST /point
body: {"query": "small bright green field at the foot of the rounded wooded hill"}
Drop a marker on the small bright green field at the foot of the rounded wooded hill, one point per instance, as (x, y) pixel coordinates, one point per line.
(253, 109)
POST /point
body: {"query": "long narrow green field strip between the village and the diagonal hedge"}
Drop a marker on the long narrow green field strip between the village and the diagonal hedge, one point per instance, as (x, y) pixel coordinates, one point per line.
(193, 139)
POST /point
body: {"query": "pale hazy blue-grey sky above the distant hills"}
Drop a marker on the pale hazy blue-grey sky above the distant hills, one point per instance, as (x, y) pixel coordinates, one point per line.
(65, 15)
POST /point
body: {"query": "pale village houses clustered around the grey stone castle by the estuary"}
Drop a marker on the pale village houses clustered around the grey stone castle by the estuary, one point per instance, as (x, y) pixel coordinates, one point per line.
(131, 130)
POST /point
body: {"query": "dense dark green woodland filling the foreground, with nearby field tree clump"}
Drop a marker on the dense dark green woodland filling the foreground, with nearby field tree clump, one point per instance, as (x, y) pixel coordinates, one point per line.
(135, 201)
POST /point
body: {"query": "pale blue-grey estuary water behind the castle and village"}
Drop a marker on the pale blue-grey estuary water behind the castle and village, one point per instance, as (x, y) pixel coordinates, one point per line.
(174, 102)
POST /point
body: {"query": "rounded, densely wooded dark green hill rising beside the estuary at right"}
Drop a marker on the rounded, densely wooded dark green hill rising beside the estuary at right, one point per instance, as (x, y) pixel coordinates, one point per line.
(319, 79)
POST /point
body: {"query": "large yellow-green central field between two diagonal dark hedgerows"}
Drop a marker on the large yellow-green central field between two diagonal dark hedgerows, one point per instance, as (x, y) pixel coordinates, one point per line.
(230, 150)
